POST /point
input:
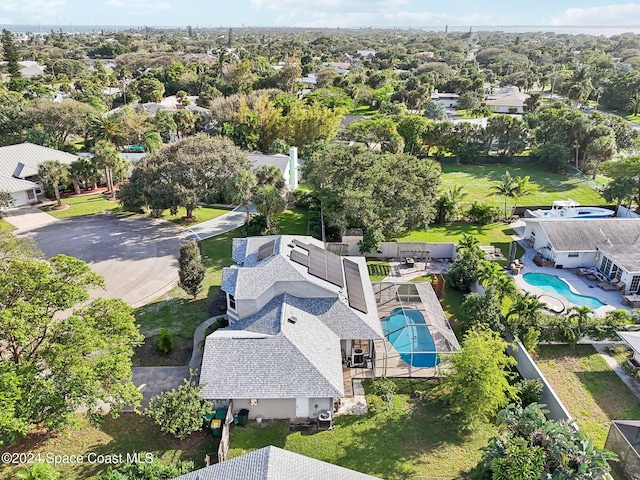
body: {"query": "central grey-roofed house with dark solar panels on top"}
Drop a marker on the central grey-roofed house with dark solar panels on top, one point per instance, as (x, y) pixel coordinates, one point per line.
(297, 312)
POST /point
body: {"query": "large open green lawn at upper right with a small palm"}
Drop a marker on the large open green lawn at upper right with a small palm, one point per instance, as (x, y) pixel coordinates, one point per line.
(478, 179)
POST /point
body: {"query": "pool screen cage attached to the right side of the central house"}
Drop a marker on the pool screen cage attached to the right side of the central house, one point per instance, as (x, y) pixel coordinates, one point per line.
(403, 355)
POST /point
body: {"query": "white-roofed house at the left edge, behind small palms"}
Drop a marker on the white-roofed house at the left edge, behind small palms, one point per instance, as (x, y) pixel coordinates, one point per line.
(19, 169)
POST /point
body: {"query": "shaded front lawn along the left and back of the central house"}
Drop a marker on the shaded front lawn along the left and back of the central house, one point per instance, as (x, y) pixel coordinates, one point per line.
(181, 314)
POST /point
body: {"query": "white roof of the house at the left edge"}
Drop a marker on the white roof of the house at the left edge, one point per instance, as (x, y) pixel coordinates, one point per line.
(31, 156)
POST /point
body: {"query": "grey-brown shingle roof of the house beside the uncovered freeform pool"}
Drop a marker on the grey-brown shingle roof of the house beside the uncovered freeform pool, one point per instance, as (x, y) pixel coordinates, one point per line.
(582, 235)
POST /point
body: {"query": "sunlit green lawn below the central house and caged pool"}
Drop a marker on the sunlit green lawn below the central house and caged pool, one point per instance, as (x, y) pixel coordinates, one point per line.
(415, 439)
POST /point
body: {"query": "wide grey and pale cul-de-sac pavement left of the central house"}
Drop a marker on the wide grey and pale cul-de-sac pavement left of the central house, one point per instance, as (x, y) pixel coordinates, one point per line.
(138, 256)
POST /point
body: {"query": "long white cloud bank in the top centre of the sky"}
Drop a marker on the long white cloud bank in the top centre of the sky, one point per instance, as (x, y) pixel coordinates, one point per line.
(358, 13)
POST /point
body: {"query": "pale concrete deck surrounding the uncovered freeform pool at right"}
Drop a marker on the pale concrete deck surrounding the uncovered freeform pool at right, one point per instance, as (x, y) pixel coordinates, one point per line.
(580, 285)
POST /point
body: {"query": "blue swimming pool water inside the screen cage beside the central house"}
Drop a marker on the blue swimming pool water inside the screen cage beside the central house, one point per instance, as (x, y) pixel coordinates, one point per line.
(407, 331)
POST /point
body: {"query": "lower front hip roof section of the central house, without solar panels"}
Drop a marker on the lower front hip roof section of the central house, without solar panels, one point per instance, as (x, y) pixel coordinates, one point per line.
(302, 359)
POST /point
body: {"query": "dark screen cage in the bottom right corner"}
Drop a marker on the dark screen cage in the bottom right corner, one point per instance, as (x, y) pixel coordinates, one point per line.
(624, 441)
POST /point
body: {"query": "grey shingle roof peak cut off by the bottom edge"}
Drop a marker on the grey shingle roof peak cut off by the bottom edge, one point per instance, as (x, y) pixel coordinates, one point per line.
(273, 463)
